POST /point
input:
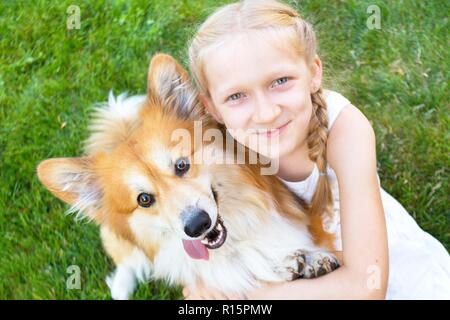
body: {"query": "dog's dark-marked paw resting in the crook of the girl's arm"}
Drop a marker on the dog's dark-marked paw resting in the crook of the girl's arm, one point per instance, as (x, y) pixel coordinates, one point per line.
(319, 263)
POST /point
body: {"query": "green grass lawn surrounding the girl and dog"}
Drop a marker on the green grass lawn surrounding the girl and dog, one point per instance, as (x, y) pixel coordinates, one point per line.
(398, 76)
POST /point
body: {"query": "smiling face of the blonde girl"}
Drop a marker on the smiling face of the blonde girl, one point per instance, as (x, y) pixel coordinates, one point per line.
(261, 93)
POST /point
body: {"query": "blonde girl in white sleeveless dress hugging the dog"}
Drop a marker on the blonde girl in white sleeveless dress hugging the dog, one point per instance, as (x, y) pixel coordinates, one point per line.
(256, 67)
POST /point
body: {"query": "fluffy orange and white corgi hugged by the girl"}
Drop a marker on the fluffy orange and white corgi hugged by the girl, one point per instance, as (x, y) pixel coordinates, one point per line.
(164, 216)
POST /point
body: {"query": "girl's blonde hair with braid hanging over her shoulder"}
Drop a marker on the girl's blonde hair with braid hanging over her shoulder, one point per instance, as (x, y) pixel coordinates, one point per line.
(270, 17)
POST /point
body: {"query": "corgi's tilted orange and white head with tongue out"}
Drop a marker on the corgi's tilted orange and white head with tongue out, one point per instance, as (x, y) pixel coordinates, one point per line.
(138, 175)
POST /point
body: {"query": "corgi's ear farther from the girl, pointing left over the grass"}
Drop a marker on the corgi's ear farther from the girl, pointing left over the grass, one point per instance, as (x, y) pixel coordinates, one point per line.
(72, 181)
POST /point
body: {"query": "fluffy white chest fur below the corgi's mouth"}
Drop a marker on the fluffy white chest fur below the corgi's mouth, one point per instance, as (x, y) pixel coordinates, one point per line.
(238, 266)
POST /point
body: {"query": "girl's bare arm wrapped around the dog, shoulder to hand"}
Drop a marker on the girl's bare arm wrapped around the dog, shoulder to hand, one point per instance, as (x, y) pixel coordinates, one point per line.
(364, 273)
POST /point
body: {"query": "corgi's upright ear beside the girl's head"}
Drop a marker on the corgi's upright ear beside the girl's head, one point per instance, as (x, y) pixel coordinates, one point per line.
(168, 84)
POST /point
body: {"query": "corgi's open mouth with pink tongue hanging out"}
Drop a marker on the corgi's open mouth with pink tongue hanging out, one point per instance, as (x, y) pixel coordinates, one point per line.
(198, 249)
